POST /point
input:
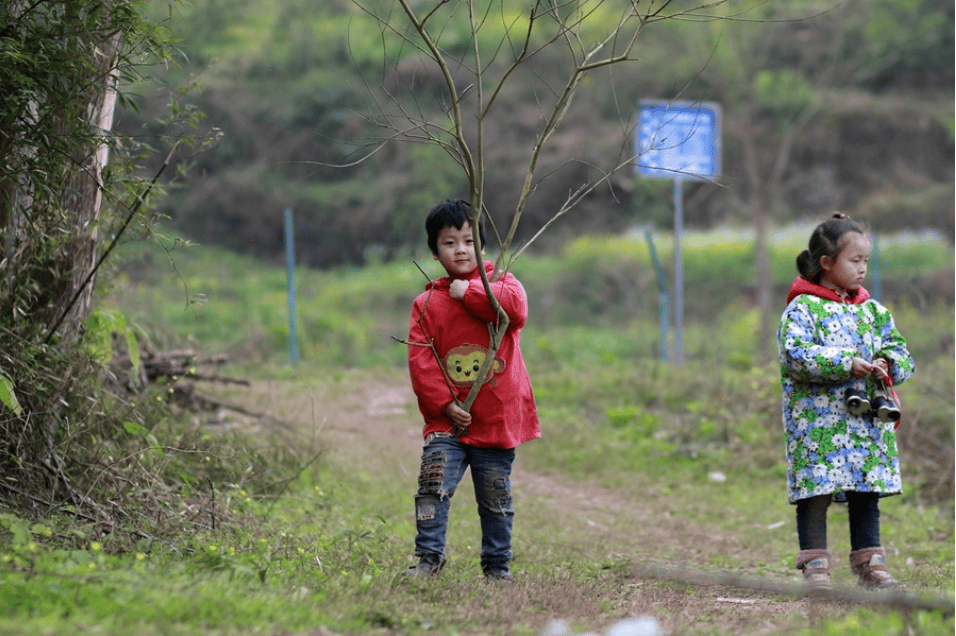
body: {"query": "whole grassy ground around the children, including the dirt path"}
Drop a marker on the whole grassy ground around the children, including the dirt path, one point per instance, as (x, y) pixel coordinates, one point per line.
(652, 484)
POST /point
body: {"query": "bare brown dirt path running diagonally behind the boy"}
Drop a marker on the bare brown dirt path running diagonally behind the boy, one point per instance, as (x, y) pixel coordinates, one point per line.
(374, 421)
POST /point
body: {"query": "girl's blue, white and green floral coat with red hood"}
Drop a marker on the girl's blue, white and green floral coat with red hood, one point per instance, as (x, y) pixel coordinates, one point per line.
(828, 449)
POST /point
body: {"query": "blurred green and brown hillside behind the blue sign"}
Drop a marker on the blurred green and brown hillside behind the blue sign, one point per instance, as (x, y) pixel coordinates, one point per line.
(865, 89)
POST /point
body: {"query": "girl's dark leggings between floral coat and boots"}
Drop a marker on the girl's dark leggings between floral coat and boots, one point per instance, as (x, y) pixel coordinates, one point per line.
(864, 511)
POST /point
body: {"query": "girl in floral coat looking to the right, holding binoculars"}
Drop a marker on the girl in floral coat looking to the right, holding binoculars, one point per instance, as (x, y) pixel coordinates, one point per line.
(834, 338)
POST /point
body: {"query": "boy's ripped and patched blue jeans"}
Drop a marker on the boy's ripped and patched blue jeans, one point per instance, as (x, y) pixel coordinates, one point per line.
(444, 460)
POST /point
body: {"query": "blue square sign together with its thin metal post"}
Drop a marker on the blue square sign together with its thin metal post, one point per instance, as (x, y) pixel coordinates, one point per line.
(679, 141)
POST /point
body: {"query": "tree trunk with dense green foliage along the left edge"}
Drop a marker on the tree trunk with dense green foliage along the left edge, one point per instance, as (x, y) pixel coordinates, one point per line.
(75, 429)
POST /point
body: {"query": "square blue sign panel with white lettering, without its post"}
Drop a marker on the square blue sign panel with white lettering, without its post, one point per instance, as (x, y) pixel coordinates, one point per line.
(677, 140)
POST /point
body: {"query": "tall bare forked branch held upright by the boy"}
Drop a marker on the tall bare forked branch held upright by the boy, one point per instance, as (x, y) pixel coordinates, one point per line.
(568, 21)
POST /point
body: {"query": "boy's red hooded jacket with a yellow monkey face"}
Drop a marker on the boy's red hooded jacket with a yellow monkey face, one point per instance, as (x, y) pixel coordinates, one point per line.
(504, 414)
